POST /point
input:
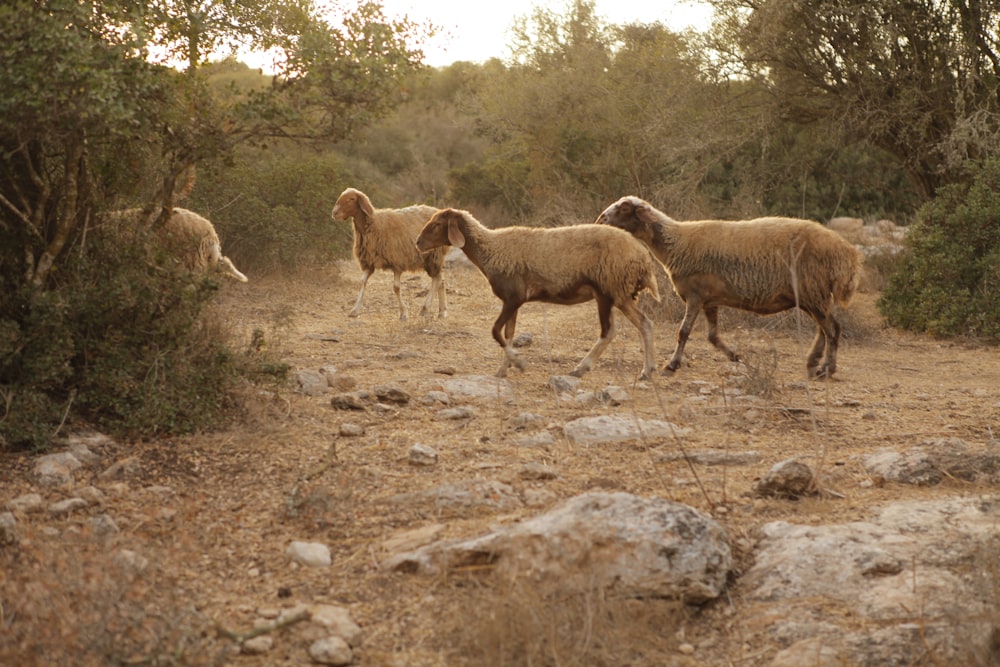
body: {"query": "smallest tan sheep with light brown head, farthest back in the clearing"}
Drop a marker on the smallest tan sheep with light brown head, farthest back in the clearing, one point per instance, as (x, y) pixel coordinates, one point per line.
(384, 239)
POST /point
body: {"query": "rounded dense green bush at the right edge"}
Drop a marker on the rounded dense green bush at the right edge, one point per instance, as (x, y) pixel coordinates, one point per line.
(947, 282)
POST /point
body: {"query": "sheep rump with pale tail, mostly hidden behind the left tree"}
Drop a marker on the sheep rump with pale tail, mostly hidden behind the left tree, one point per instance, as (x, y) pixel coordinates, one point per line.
(191, 235)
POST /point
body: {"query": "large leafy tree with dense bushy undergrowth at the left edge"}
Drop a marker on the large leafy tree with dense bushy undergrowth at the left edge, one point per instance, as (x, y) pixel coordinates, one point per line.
(89, 124)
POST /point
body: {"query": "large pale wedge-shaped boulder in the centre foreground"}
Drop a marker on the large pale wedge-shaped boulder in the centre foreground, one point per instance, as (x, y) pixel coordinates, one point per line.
(637, 547)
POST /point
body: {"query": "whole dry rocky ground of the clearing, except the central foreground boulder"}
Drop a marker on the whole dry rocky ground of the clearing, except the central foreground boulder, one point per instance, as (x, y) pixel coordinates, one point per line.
(178, 549)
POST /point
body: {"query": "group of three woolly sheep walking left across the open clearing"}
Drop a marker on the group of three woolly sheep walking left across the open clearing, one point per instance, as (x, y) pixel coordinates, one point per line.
(765, 265)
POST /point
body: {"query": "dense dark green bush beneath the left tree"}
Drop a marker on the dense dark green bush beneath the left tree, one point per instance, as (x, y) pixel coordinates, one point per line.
(122, 340)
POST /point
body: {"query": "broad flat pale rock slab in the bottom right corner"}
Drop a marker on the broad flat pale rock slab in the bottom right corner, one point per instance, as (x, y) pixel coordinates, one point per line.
(932, 556)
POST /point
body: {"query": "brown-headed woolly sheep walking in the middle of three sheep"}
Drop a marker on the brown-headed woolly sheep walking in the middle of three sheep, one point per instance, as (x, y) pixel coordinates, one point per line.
(563, 265)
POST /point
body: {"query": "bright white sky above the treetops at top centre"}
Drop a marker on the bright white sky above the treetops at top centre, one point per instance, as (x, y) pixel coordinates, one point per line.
(477, 31)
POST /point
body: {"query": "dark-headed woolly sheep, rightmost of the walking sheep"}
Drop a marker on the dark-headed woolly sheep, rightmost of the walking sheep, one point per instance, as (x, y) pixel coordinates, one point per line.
(764, 266)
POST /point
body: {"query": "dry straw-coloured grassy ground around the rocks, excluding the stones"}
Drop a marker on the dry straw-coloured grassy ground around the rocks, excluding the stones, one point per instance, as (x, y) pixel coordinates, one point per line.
(217, 540)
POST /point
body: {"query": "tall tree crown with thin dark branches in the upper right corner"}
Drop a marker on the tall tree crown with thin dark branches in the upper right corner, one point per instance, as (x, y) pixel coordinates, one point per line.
(917, 79)
